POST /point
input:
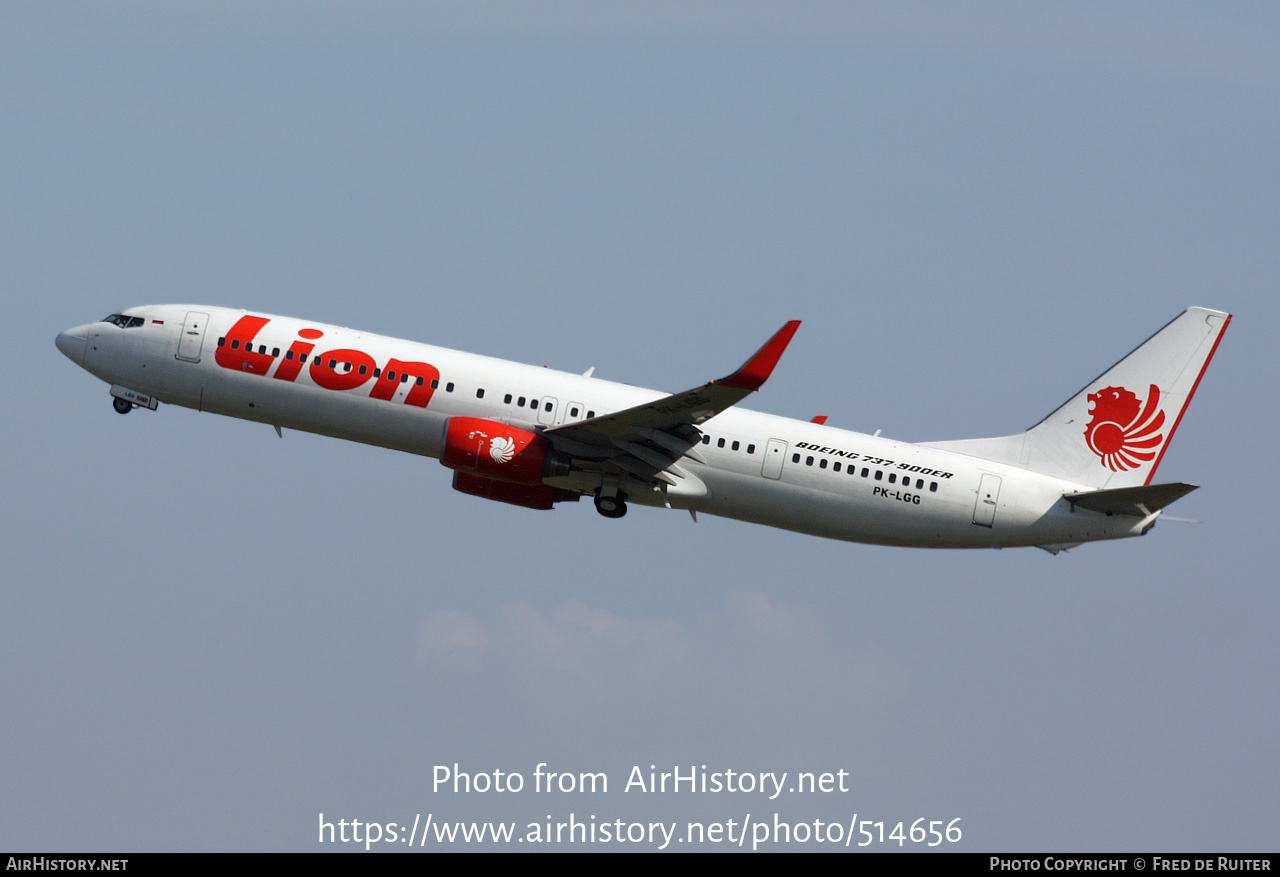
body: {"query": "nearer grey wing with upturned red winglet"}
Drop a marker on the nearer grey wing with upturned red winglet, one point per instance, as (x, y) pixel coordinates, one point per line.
(650, 438)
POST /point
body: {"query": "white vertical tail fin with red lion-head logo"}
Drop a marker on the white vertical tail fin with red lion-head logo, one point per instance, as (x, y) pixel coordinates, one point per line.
(1114, 432)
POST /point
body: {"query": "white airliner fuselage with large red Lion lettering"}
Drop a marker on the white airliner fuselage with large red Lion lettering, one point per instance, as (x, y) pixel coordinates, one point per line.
(756, 468)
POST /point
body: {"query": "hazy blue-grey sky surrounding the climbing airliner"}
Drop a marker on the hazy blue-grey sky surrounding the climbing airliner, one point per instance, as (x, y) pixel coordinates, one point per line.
(213, 636)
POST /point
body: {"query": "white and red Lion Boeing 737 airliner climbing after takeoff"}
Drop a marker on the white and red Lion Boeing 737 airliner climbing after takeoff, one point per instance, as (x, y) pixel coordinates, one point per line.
(533, 437)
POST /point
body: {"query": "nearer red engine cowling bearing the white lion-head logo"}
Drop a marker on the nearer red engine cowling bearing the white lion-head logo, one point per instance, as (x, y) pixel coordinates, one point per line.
(497, 451)
